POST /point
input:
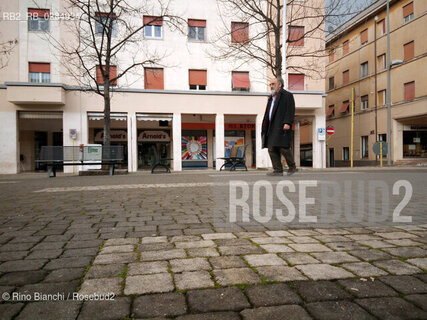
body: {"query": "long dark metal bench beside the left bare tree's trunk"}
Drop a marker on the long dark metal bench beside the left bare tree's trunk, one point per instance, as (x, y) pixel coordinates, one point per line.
(56, 156)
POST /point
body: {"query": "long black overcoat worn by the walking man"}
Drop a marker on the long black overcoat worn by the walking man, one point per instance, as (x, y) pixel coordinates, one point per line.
(273, 134)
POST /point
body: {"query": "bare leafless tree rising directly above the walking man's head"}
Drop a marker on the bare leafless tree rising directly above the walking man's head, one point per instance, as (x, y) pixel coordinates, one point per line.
(265, 18)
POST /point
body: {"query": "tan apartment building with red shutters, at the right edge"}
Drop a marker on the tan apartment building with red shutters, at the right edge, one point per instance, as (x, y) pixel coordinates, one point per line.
(358, 60)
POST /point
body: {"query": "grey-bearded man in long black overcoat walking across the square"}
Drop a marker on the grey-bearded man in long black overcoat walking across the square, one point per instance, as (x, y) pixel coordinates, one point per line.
(277, 127)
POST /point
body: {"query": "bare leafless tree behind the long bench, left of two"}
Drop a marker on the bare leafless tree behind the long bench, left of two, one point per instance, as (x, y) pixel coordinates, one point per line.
(107, 43)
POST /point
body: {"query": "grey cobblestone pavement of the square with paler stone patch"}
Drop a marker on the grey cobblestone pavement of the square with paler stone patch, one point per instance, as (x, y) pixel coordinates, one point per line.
(160, 247)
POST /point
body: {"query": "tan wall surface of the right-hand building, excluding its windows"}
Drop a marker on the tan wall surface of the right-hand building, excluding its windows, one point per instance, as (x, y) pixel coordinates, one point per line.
(371, 122)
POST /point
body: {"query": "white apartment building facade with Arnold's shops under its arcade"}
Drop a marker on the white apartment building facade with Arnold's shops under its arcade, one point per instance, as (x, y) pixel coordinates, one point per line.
(190, 107)
